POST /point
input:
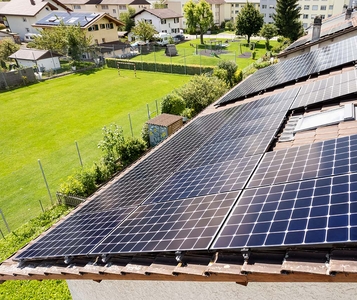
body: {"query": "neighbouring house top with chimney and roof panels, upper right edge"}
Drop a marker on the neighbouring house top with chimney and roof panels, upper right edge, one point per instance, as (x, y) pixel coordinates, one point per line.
(322, 33)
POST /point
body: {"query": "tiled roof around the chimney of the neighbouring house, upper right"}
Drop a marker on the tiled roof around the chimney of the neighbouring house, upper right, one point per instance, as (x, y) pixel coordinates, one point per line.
(332, 27)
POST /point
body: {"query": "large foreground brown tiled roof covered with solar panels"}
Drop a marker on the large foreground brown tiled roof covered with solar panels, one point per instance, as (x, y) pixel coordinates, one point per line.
(221, 200)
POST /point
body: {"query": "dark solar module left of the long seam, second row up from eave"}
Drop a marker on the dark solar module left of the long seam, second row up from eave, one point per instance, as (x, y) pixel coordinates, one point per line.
(206, 180)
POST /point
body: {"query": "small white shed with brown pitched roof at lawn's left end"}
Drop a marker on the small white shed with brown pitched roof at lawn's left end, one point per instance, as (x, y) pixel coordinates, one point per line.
(44, 60)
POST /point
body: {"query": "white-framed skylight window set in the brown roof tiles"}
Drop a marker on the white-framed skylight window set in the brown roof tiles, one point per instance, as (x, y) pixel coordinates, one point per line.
(330, 117)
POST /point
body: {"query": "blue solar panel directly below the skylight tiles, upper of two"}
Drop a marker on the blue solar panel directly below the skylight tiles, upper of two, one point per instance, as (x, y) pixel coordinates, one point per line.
(323, 159)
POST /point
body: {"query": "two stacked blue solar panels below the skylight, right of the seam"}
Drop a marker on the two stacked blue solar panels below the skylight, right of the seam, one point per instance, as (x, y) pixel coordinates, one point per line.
(304, 195)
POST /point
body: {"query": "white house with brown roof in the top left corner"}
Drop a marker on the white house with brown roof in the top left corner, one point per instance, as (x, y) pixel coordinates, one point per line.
(19, 15)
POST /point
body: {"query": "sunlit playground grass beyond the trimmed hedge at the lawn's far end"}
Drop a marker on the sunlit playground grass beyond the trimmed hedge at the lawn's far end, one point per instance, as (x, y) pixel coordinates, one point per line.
(186, 54)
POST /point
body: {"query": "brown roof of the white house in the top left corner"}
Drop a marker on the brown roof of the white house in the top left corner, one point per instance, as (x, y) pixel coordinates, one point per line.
(29, 7)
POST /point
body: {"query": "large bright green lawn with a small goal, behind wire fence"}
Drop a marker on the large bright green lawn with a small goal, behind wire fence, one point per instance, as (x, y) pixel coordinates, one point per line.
(43, 121)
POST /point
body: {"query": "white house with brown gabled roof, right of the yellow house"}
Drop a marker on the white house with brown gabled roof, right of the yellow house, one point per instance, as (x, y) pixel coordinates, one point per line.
(163, 19)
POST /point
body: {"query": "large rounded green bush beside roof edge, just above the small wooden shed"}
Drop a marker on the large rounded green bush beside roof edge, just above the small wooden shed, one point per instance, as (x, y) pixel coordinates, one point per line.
(201, 91)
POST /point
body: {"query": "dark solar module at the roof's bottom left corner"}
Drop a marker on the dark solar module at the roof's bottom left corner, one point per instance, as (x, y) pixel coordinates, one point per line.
(77, 235)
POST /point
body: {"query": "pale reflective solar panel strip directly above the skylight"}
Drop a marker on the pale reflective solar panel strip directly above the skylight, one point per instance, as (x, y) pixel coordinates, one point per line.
(326, 89)
